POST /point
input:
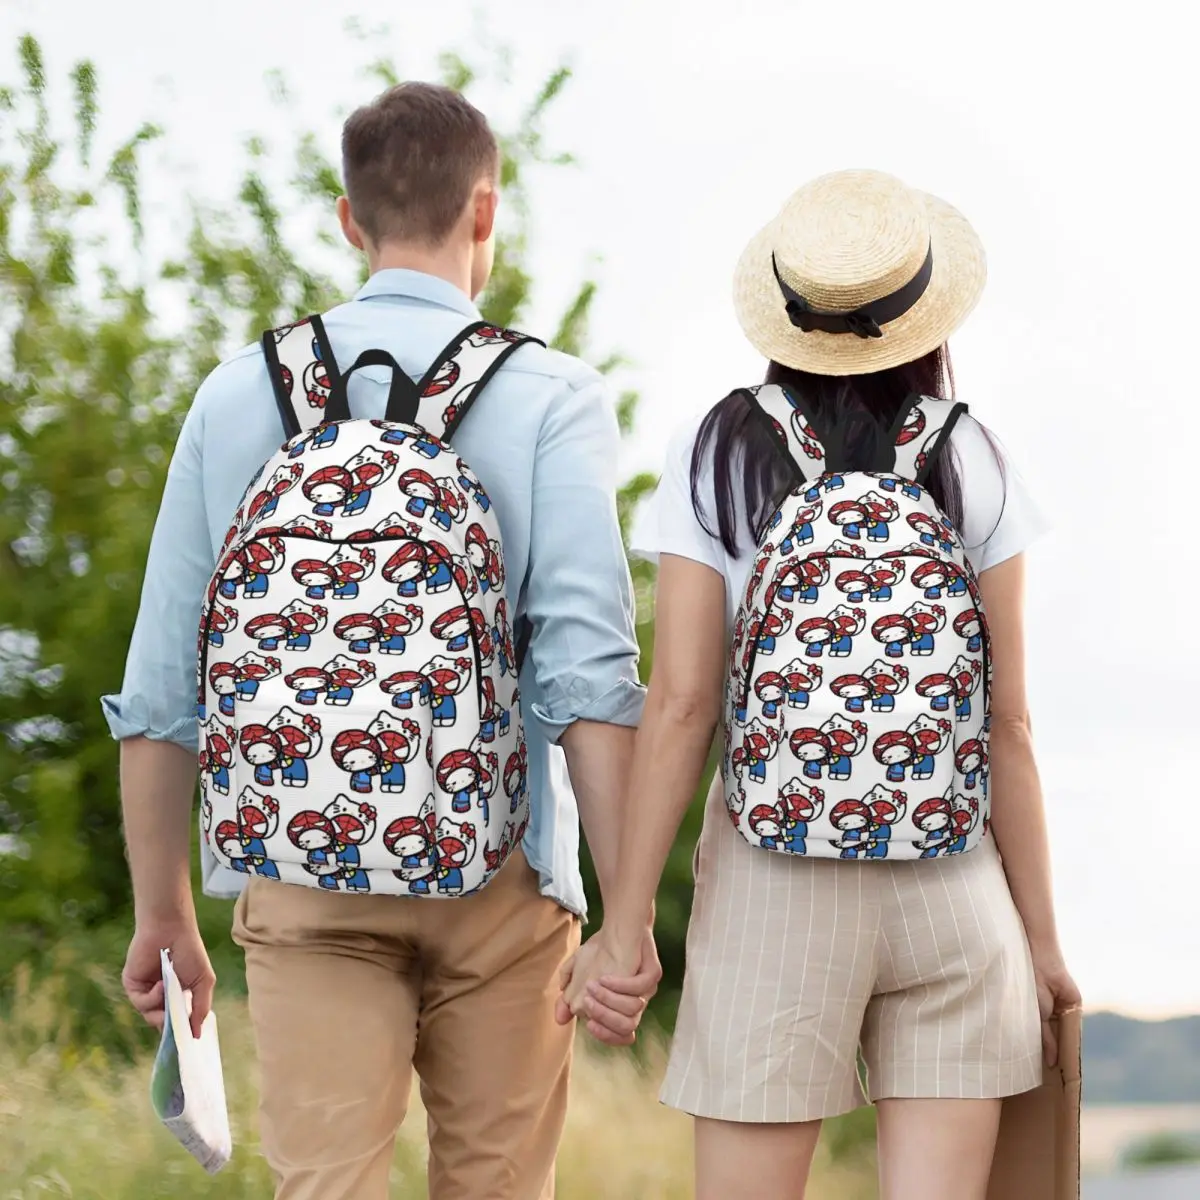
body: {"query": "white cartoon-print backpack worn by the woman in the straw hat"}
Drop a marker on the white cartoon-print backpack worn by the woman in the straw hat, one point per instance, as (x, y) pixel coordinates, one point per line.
(857, 691)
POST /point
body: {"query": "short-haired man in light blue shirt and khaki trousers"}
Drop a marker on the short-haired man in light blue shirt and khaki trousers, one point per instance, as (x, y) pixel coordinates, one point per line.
(349, 994)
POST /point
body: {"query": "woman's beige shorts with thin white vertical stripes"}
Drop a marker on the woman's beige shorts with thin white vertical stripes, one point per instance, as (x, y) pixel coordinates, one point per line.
(799, 967)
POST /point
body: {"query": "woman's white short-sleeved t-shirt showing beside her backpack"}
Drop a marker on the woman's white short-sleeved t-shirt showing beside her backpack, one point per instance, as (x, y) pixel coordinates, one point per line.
(1000, 517)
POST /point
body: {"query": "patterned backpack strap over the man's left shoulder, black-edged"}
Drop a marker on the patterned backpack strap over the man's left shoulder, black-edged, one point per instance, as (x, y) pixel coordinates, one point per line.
(309, 388)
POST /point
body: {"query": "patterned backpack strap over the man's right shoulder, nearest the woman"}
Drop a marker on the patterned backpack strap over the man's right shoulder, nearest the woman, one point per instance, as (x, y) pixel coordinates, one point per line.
(459, 375)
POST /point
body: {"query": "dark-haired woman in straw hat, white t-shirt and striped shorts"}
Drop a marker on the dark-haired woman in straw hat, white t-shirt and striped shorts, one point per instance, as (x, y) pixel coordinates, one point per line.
(932, 957)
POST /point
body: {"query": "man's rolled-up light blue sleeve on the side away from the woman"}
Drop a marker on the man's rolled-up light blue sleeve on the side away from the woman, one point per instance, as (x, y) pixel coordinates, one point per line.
(159, 694)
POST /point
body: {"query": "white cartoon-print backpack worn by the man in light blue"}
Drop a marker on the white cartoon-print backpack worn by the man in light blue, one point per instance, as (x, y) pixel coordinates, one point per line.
(358, 677)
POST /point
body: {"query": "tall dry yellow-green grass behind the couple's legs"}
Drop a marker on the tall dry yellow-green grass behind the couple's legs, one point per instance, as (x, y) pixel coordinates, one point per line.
(77, 1123)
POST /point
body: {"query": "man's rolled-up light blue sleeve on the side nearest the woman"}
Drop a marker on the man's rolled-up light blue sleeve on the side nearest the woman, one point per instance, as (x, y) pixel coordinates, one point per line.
(579, 593)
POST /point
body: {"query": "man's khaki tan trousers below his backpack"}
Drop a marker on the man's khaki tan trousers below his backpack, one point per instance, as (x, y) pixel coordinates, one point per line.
(350, 993)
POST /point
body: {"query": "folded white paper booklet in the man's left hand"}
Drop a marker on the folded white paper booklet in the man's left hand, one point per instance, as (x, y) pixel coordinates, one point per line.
(187, 1088)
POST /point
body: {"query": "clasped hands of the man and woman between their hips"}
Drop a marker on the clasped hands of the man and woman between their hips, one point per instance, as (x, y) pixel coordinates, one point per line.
(610, 986)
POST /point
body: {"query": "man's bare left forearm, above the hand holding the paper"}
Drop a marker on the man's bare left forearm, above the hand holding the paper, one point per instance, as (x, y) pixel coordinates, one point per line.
(158, 785)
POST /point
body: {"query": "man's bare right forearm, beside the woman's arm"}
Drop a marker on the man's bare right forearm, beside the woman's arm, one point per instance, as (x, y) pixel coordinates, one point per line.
(599, 758)
